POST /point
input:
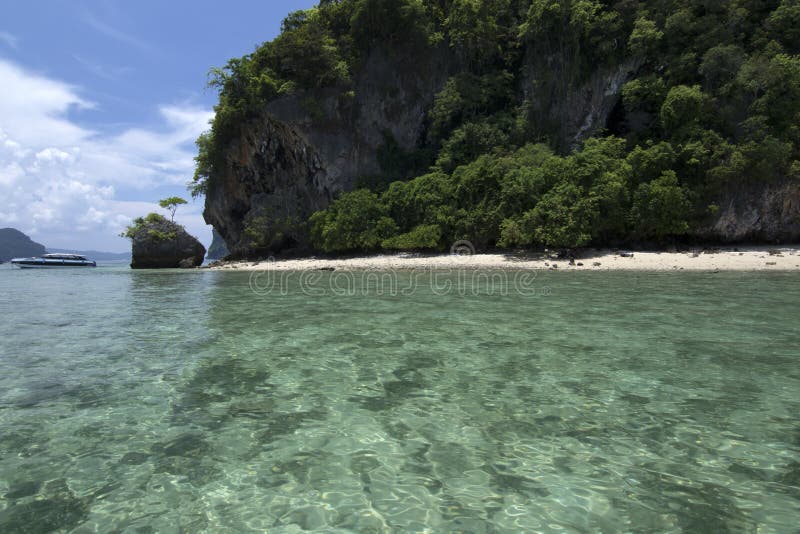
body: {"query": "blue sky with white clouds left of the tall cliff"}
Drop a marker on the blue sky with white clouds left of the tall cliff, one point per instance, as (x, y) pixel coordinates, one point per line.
(100, 104)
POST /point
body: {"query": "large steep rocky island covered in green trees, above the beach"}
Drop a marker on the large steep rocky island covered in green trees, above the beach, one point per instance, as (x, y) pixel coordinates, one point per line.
(384, 127)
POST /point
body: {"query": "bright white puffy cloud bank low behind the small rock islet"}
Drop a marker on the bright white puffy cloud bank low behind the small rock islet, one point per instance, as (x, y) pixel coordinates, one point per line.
(59, 181)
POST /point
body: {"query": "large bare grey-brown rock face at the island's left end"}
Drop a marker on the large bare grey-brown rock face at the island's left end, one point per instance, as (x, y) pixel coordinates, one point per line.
(308, 147)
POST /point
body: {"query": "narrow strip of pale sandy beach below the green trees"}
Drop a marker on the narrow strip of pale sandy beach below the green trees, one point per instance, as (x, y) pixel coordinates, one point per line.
(778, 258)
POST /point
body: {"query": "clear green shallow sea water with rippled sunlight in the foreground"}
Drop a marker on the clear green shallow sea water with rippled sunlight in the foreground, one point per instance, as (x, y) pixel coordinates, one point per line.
(166, 401)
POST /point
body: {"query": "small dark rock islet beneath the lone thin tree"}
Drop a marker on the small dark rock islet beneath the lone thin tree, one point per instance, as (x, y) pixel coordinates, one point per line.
(158, 243)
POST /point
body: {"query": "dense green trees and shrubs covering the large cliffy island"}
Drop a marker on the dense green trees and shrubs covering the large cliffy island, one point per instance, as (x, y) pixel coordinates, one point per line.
(714, 104)
